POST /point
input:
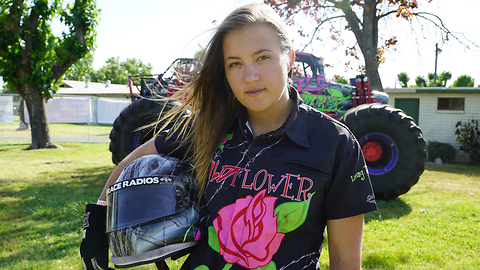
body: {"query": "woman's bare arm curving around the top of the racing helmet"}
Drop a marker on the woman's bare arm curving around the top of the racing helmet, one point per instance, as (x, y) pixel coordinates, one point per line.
(147, 148)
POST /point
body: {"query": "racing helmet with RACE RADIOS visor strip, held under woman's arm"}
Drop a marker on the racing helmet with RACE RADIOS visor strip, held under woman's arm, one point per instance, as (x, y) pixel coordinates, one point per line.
(152, 211)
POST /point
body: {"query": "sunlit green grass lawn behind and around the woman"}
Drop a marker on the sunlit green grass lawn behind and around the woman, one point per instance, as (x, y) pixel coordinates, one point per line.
(43, 195)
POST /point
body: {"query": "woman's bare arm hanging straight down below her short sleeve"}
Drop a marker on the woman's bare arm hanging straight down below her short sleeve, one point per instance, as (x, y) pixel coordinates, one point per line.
(345, 242)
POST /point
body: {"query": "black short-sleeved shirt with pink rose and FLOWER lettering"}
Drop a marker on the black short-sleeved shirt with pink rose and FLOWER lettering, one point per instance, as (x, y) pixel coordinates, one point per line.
(268, 197)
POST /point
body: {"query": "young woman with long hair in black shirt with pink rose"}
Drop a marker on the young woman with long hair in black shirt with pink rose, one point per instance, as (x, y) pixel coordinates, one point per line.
(272, 172)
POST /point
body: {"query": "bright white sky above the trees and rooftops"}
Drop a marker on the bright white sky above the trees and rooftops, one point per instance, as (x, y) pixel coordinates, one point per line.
(158, 32)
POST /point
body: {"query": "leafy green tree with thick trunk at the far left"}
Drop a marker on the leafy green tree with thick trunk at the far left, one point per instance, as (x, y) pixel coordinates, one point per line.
(33, 60)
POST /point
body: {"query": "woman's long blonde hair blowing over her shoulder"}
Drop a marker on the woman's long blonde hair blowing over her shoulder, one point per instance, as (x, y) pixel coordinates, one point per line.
(209, 96)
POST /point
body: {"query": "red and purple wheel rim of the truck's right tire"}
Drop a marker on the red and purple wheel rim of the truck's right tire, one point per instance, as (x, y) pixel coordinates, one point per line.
(380, 152)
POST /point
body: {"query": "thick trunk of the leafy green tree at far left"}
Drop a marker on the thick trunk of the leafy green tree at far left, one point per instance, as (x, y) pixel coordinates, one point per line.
(37, 111)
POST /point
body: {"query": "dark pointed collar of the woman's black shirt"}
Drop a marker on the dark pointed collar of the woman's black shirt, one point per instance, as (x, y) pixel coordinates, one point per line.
(295, 127)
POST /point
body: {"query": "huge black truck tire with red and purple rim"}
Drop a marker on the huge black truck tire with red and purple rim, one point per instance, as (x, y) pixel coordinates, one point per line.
(393, 147)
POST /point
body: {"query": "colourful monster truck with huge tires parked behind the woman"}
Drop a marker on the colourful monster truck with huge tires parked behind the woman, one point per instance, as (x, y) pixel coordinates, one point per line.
(392, 144)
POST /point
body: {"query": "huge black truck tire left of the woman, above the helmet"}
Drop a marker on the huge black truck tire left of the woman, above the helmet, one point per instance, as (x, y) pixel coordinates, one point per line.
(129, 130)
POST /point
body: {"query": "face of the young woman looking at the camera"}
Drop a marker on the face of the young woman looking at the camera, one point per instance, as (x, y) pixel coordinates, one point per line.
(257, 69)
